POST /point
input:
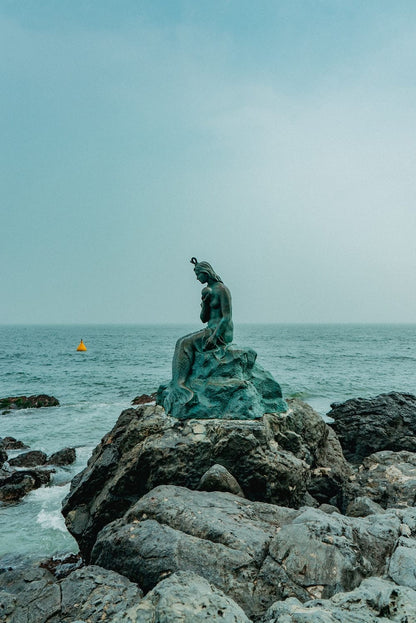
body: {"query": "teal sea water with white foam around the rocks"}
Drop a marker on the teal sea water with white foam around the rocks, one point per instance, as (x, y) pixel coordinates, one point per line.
(320, 364)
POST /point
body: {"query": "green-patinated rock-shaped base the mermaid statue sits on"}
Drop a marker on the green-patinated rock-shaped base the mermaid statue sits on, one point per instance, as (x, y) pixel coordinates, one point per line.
(226, 383)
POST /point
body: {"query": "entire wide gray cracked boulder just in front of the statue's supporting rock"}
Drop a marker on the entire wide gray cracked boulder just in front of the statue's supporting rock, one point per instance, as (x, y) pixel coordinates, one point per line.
(255, 553)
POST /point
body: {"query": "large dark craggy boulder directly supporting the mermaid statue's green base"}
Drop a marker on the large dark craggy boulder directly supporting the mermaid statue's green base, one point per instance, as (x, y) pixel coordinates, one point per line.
(147, 448)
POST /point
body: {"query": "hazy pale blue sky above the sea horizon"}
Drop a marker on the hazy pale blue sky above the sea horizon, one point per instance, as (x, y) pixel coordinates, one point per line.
(272, 138)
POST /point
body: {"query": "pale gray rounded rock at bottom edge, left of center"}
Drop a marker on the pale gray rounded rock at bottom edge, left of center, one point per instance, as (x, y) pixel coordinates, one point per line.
(186, 598)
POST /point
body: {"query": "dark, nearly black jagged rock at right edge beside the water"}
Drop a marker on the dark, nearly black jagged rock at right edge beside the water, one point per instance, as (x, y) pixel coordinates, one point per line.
(368, 425)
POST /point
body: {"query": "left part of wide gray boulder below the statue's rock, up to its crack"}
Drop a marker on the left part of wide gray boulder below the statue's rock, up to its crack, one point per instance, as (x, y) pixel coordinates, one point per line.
(218, 536)
